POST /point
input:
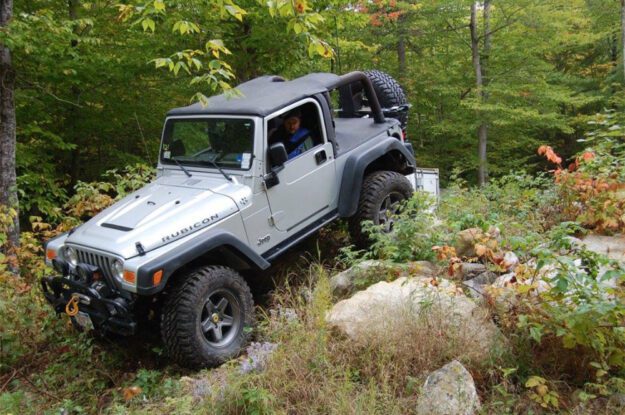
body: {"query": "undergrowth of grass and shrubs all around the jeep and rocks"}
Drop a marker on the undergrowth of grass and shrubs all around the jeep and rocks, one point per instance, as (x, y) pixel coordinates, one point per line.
(561, 312)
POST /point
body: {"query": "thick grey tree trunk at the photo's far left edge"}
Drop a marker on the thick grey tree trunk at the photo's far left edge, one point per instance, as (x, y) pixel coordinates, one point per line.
(8, 178)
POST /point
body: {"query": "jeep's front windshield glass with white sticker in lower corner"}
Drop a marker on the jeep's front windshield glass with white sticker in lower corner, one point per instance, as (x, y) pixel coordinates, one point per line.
(206, 142)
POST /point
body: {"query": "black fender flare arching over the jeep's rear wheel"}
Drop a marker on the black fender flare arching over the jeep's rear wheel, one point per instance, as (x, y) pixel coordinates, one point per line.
(356, 164)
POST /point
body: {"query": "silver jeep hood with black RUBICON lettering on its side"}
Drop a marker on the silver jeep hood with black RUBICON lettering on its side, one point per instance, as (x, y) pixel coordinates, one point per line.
(166, 210)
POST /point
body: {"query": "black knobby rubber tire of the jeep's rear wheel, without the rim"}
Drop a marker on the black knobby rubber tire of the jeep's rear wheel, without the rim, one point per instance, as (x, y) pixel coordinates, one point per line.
(376, 188)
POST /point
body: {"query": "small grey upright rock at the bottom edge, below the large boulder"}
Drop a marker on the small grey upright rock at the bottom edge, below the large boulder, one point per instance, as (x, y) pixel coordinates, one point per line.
(449, 391)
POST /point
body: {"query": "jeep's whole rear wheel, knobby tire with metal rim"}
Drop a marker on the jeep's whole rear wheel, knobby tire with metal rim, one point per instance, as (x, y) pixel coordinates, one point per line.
(381, 197)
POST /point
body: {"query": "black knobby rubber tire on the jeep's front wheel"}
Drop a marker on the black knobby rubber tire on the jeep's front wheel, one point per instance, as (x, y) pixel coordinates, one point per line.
(181, 324)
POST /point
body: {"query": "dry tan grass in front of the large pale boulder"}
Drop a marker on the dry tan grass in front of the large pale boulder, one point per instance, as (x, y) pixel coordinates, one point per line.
(315, 369)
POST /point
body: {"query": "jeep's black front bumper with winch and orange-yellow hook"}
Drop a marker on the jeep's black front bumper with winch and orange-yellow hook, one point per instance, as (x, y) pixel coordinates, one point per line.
(107, 314)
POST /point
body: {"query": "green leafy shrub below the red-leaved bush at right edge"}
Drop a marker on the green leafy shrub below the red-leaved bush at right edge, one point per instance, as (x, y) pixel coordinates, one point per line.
(584, 306)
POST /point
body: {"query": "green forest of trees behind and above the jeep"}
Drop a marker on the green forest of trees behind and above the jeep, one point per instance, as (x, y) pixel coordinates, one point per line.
(488, 81)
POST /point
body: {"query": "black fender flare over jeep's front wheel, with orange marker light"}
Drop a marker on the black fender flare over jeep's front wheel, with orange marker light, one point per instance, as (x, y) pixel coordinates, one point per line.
(182, 255)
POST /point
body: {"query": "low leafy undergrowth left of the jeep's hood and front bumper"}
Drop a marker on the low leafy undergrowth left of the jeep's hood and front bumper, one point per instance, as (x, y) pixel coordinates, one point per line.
(45, 365)
